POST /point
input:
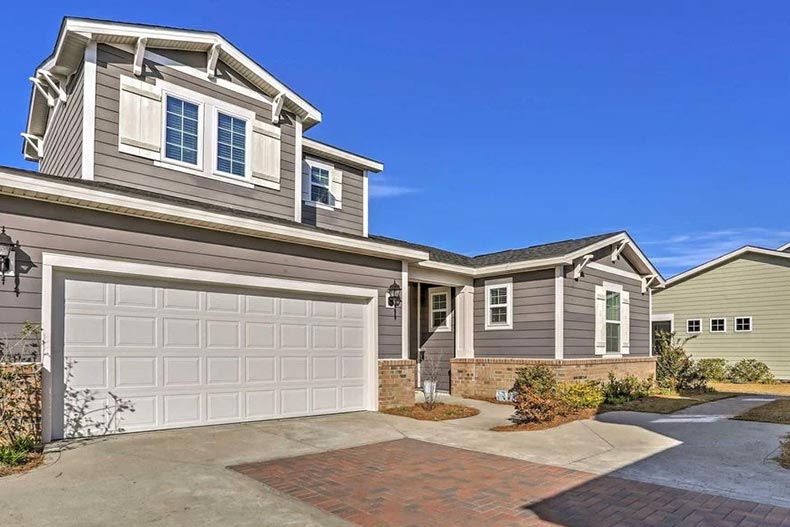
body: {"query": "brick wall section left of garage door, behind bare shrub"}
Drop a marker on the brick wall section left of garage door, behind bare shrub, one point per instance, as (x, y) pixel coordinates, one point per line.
(24, 393)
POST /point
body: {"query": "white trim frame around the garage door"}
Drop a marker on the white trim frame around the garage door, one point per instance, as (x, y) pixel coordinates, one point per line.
(60, 262)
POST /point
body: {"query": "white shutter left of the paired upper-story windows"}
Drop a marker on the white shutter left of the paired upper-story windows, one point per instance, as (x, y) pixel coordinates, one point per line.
(140, 118)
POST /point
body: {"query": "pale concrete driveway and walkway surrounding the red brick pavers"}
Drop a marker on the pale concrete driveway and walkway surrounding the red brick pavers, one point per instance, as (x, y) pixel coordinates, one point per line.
(181, 477)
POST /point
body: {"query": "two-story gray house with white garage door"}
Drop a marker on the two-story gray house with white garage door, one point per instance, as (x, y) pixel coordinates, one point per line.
(189, 253)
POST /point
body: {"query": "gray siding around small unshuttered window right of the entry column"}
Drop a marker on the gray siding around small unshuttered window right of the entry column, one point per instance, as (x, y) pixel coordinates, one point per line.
(532, 335)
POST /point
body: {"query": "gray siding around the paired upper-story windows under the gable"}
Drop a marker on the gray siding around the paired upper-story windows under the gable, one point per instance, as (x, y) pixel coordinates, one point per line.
(121, 168)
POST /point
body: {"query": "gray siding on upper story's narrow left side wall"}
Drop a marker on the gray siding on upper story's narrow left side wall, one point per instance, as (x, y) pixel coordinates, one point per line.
(63, 140)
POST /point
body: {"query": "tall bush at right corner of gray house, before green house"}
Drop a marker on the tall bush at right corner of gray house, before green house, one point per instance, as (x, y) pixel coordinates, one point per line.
(675, 369)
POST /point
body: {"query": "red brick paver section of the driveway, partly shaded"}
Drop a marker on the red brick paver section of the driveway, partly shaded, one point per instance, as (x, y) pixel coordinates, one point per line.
(413, 483)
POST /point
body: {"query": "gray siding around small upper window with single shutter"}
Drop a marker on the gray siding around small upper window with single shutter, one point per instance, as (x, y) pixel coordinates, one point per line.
(350, 217)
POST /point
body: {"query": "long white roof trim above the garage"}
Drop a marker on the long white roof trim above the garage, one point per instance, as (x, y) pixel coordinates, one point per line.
(118, 203)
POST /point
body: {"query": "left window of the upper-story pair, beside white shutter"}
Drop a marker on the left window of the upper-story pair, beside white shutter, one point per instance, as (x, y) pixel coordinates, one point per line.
(182, 131)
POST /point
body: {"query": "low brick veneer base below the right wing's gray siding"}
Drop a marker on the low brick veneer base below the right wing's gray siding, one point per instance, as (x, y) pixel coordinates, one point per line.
(483, 377)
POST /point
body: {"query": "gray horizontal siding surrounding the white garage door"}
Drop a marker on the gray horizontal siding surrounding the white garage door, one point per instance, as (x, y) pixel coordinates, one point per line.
(63, 229)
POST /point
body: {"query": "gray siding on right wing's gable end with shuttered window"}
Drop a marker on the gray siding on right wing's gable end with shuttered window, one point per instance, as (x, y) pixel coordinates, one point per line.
(579, 308)
